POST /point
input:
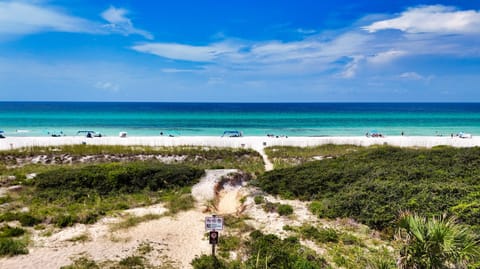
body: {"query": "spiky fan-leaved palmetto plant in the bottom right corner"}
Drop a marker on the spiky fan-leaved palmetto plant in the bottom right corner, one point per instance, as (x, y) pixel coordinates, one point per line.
(435, 243)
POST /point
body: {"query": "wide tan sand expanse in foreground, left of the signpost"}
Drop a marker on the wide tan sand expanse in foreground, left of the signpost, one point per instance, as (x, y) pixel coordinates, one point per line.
(179, 238)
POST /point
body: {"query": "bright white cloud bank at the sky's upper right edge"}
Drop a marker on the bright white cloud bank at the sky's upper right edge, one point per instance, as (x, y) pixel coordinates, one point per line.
(431, 19)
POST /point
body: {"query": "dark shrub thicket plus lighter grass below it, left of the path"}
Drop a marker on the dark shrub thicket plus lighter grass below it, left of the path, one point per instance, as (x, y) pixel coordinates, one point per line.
(66, 196)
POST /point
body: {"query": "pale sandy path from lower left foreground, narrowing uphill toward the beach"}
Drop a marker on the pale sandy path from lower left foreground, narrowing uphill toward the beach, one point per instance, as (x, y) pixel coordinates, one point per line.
(179, 238)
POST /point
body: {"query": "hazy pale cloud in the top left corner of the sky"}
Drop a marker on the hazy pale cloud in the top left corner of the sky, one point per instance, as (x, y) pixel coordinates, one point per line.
(17, 18)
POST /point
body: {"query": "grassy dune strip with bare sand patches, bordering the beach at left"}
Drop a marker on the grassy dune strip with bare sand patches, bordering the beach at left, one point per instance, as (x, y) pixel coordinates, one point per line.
(39, 159)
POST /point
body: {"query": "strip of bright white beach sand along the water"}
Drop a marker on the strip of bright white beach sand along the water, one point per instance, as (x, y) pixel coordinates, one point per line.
(253, 142)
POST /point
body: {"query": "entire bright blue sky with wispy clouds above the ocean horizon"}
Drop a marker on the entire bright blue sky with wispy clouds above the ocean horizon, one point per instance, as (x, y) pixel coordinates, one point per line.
(240, 51)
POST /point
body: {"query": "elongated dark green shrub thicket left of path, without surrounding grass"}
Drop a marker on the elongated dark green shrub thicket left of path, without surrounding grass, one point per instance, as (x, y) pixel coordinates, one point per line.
(106, 179)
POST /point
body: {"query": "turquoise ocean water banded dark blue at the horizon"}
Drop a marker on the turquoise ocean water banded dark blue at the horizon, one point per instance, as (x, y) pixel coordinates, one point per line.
(189, 119)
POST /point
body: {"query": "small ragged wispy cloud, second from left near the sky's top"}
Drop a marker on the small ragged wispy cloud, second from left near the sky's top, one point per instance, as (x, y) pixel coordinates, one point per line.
(118, 22)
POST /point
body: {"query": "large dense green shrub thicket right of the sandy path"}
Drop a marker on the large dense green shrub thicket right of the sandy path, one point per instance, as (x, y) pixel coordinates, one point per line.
(372, 185)
